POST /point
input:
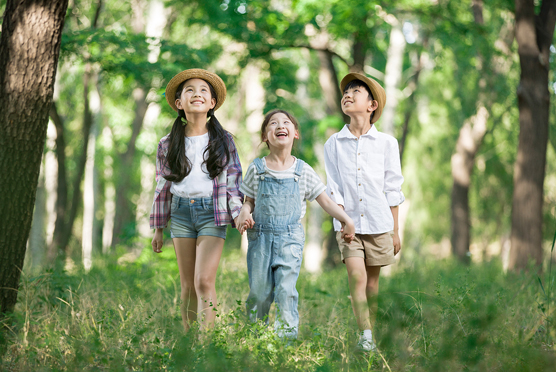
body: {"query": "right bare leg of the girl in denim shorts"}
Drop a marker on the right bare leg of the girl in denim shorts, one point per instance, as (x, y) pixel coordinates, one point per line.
(209, 251)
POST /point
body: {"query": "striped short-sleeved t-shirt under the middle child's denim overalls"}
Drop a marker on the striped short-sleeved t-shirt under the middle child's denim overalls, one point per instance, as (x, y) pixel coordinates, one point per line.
(310, 185)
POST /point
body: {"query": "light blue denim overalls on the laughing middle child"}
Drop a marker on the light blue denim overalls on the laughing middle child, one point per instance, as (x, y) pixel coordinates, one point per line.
(275, 250)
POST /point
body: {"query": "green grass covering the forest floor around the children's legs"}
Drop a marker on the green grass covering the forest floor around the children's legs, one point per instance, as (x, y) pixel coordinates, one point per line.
(435, 316)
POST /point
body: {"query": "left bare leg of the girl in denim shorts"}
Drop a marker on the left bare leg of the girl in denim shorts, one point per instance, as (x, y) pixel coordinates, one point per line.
(185, 253)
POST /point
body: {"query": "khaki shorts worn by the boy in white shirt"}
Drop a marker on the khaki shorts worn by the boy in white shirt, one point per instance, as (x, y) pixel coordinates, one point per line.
(375, 249)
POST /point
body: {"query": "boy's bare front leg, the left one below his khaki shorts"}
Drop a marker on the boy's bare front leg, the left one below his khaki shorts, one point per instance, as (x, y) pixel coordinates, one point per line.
(357, 276)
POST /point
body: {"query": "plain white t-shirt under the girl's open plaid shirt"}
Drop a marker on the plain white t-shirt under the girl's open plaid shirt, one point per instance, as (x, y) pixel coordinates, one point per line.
(197, 184)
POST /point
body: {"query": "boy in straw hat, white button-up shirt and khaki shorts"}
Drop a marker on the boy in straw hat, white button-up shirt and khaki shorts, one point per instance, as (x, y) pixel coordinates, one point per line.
(364, 177)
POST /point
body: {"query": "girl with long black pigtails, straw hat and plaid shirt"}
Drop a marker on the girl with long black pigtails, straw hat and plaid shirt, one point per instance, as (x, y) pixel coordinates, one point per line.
(198, 175)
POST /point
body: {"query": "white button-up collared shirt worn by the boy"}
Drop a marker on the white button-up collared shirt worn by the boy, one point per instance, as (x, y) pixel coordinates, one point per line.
(364, 175)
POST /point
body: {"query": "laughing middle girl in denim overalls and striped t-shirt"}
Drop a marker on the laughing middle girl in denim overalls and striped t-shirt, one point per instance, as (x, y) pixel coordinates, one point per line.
(276, 188)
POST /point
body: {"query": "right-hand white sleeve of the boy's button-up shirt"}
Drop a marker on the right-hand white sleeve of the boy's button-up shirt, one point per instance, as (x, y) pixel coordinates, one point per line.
(393, 178)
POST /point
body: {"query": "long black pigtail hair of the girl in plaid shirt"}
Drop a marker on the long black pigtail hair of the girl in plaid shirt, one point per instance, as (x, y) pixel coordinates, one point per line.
(217, 149)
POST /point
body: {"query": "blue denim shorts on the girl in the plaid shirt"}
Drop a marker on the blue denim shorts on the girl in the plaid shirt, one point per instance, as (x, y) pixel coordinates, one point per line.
(194, 217)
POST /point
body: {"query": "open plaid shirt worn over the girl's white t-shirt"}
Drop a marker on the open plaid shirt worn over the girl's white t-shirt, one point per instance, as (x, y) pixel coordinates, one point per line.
(226, 195)
